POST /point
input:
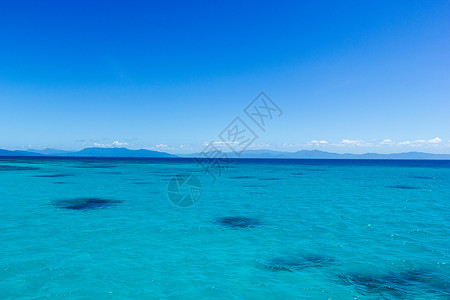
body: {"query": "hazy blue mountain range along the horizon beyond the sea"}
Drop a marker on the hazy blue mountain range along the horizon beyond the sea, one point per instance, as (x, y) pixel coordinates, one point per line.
(304, 154)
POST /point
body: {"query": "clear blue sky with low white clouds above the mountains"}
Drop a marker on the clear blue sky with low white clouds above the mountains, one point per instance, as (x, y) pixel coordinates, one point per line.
(350, 76)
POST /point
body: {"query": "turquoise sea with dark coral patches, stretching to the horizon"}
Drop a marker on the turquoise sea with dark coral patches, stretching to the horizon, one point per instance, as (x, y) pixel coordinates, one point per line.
(80, 228)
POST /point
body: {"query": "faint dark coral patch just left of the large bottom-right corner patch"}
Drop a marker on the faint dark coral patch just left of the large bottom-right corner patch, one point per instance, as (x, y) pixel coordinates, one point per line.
(295, 263)
